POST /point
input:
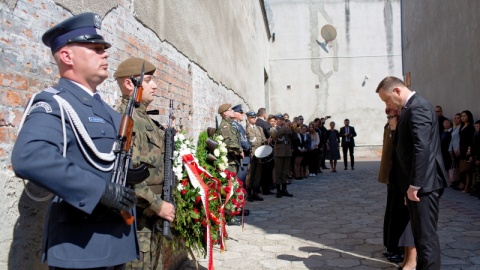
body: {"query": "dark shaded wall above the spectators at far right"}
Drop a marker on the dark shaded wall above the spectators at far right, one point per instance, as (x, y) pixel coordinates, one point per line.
(442, 50)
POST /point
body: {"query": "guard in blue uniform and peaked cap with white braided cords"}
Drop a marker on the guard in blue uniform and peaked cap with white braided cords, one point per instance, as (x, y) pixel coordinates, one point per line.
(83, 227)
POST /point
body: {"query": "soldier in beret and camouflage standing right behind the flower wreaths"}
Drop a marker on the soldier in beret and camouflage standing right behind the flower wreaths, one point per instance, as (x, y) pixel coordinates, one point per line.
(230, 137)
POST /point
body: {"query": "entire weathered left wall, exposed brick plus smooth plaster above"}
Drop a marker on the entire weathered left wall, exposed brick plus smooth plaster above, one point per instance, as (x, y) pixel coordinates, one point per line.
(198, 67)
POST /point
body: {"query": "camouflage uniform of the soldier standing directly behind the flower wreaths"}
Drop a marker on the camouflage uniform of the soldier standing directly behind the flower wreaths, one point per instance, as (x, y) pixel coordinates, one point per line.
(231, 139)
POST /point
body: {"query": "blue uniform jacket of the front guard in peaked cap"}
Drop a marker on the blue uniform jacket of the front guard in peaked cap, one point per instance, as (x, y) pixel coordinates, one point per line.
(79, 232)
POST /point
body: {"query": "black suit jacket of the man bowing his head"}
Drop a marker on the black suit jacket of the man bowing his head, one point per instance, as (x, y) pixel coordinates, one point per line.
(417, 143)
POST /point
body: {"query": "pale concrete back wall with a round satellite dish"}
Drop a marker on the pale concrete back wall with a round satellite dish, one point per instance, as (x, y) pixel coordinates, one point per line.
(368, 43)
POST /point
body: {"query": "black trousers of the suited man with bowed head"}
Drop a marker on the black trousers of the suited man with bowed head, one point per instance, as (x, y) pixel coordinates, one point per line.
(424, 218)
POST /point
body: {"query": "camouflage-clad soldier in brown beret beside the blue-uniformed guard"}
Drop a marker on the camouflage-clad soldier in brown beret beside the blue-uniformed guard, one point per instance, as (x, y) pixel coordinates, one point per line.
(148, 149)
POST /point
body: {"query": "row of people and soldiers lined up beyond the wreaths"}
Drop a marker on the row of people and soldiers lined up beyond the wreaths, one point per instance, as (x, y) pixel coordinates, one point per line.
(271, 149)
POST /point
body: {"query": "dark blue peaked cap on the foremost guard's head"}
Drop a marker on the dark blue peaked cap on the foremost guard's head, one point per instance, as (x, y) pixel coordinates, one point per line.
(81, 28)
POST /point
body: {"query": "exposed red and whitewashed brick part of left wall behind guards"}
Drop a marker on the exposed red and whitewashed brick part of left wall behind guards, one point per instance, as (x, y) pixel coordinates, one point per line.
(26, 67)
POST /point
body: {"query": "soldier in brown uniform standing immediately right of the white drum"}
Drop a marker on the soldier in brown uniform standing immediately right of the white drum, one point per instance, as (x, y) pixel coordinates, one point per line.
(282, 135)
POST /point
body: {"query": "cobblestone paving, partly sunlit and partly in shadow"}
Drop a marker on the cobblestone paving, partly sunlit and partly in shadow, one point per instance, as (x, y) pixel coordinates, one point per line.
(334, 221)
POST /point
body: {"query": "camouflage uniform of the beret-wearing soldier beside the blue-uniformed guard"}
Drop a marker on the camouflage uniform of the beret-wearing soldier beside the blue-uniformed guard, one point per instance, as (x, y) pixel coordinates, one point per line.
(149, 149)
